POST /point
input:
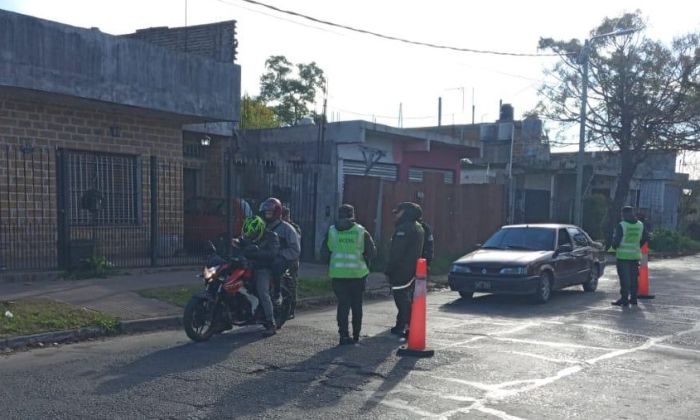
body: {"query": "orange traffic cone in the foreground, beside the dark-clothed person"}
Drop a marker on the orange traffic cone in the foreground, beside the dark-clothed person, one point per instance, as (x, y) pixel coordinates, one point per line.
(416, 331)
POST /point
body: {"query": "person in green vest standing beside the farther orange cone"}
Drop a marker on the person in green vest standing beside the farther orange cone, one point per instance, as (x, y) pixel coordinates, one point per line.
(628, 239)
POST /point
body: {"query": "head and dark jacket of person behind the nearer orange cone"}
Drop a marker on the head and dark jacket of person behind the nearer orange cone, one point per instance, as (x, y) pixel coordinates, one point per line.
(406, 247)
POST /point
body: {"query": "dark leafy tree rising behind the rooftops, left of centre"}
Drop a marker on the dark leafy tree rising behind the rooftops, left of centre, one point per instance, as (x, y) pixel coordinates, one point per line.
(290, 94)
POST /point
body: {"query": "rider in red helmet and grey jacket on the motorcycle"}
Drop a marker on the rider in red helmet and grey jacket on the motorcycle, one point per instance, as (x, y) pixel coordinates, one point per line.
(290, 241)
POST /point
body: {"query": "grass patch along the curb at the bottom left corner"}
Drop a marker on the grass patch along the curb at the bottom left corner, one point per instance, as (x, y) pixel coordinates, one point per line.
(32, 316)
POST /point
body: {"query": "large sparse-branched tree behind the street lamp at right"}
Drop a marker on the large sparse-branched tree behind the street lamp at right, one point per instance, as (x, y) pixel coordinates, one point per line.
(643, 95)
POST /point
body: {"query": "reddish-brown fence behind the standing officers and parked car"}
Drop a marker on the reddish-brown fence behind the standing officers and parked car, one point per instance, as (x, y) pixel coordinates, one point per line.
(460, 215)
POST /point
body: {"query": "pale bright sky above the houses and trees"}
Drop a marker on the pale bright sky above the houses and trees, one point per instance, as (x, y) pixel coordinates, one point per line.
(370, 78)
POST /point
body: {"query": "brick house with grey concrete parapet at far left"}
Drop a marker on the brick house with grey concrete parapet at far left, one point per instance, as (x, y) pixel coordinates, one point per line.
(84, 116)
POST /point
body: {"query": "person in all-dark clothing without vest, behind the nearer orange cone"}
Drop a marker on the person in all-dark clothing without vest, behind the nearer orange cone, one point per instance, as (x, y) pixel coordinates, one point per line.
(406, 248)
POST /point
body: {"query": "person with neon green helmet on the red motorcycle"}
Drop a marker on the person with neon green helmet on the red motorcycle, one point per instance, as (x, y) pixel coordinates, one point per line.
(261, 247)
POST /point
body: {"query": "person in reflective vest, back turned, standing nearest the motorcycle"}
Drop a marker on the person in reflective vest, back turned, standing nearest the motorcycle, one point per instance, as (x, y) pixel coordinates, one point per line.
(348, 249)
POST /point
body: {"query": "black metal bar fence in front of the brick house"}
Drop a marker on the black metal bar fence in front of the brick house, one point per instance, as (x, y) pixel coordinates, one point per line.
(58, 207)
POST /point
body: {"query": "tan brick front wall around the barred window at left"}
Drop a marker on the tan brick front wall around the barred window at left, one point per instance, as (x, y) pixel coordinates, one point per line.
(32, 133)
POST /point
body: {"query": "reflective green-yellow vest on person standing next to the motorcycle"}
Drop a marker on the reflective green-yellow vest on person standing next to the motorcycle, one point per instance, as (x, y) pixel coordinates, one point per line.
(347, 247)
